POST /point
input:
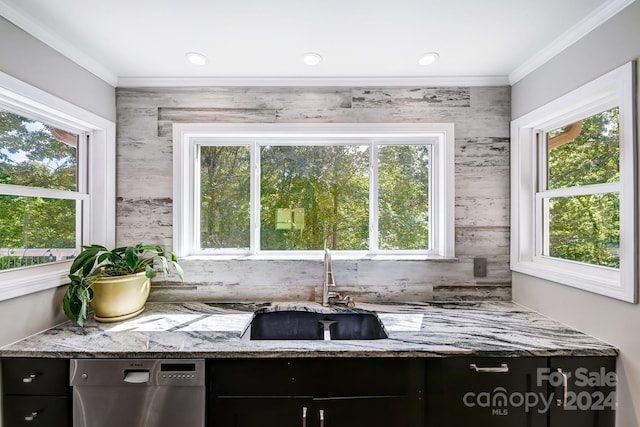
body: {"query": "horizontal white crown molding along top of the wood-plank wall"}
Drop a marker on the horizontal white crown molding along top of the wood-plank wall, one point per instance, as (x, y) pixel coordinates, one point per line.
(312, 81)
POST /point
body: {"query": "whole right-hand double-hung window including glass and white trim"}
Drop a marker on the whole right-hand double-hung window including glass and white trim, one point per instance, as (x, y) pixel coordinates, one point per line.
(574, 191)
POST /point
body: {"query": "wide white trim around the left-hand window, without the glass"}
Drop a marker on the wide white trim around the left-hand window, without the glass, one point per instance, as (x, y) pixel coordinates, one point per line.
(99, 198)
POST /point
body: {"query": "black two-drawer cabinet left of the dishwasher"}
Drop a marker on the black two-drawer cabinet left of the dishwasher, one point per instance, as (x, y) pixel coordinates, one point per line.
(35, 392)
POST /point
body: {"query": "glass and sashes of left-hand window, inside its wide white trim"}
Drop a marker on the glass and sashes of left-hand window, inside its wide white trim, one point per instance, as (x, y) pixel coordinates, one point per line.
(42, 190)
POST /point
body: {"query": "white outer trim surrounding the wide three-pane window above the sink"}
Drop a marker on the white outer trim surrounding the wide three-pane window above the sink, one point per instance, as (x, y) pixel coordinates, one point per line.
(186, 136)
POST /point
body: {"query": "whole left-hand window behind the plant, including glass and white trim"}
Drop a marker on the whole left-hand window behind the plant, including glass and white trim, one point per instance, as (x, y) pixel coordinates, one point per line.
(57, 186)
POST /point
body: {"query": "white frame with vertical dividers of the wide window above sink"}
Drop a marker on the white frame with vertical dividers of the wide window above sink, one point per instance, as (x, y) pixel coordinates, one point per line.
(187, 136)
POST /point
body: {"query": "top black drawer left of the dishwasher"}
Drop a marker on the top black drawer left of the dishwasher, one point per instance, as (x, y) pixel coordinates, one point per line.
(35, 376)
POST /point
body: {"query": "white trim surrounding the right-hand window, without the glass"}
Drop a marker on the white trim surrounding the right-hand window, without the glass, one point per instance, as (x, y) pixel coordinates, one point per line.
(615, 88)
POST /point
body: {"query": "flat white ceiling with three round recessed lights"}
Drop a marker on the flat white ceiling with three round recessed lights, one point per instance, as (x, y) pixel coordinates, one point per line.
(140, 42)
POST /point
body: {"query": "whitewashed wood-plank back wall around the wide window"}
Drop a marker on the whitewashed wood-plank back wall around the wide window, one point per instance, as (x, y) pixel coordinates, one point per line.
(481, 116)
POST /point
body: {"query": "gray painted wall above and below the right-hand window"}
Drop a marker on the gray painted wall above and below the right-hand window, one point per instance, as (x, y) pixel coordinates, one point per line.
(611, 45)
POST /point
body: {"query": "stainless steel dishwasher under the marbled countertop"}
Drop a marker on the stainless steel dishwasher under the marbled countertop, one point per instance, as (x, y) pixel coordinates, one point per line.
(138, 392)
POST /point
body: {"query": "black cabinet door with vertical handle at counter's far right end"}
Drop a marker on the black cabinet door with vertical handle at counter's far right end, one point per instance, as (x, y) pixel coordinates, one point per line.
(583, 390)
